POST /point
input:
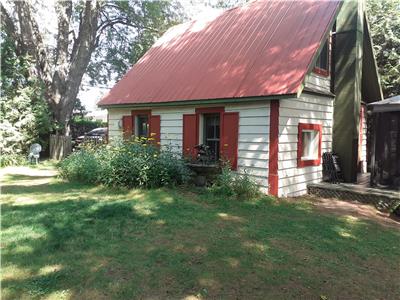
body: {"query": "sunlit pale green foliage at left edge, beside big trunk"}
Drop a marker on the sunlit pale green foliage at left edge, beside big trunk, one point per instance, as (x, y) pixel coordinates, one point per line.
(24, 113)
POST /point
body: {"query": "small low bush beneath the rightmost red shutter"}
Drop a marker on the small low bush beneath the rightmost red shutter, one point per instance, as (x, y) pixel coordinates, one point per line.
(232, 184)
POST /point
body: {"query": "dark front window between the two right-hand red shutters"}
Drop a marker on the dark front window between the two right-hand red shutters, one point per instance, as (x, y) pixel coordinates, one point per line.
(211, 133)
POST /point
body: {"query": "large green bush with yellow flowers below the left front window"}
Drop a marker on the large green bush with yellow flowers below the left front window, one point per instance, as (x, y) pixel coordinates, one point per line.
(126, 164)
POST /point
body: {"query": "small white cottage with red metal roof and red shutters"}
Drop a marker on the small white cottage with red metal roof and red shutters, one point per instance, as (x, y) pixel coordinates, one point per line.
(269, 86)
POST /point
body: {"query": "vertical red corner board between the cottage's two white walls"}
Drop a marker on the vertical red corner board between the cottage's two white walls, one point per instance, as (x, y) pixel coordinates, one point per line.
(273, 177)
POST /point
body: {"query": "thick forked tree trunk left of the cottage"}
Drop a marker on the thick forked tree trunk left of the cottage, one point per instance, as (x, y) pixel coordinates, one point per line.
(61, 86)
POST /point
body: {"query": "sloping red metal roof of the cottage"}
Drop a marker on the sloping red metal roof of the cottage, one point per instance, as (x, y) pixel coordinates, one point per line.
(261, 49)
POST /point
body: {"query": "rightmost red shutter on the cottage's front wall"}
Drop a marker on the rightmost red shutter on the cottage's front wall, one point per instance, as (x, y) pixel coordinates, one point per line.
(230, 135)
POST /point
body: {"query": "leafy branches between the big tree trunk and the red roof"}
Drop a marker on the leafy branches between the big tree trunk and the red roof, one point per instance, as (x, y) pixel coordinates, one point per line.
(130, 29)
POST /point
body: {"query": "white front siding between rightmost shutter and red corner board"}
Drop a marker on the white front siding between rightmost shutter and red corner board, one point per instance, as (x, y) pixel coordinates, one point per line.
(253, 153)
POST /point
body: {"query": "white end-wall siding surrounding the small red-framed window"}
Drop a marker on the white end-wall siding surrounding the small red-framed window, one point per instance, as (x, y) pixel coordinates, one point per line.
(306, 109)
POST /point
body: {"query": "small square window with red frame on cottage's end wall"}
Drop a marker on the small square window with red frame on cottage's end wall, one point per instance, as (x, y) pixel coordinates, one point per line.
(309, 145)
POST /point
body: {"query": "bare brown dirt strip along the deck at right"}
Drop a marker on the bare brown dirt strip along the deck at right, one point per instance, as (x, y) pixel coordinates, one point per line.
(354, 209)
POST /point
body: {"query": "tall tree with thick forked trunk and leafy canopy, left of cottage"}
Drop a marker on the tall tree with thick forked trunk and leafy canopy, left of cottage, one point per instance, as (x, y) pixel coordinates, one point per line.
(97, 38)
